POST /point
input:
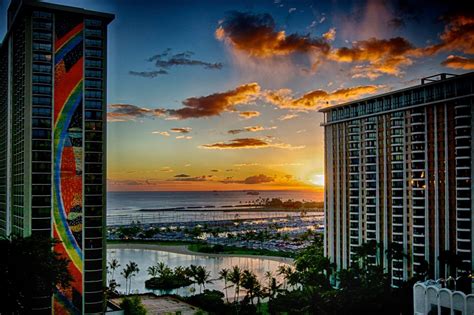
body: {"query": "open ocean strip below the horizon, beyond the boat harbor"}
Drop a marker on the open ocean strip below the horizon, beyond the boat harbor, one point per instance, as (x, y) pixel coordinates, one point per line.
(123, 202)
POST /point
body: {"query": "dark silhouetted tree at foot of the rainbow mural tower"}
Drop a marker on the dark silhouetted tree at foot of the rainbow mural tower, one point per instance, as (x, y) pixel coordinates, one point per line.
(29, 268)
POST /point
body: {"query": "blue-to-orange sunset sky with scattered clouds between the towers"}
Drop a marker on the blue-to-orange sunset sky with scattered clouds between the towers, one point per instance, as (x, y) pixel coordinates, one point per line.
(224, 95)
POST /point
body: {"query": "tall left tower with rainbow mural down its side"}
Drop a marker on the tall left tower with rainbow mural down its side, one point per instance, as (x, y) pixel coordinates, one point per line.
(52, 141)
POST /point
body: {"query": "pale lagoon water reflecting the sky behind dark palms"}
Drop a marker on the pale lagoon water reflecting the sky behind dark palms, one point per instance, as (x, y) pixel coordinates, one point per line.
(146, 258)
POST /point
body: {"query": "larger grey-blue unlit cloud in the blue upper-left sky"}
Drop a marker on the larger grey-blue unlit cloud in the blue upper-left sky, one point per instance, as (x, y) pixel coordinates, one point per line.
(166, 61)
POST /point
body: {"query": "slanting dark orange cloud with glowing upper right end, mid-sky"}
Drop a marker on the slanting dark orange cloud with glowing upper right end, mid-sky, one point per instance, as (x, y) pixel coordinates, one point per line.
(215, 104)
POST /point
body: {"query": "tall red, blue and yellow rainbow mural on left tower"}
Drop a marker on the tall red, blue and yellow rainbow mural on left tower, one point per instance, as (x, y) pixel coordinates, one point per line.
(67, 157)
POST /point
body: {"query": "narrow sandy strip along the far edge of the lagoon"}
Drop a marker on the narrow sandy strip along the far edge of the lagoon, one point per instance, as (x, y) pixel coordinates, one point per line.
(183, 249)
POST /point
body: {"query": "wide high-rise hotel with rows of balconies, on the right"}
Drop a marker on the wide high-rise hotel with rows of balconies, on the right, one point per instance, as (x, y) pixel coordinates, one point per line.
(398, 170)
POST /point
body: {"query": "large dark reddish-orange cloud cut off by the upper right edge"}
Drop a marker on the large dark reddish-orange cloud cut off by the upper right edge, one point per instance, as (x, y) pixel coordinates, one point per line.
(458, 35)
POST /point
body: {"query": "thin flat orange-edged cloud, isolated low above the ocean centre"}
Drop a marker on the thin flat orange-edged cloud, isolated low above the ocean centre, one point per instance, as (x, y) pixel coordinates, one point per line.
(248, 143)
